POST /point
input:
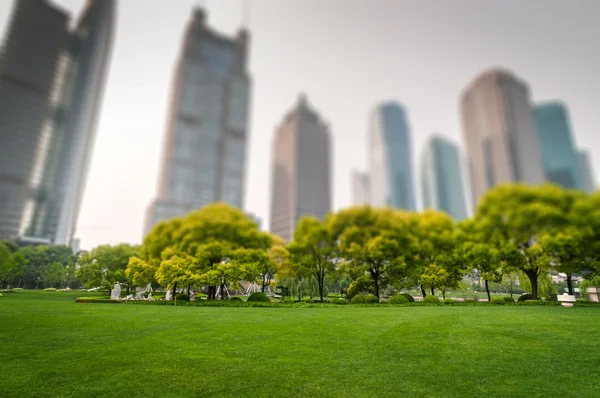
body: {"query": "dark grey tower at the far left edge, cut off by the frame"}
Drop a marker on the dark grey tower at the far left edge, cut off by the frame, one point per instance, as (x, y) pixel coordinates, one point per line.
(31, 50)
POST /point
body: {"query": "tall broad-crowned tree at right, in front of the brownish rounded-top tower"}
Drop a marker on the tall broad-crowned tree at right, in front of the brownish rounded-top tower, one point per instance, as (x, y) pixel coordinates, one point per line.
(512, 217)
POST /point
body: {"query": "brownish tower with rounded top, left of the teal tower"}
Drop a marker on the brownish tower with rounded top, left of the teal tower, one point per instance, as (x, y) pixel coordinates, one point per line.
(500, 133)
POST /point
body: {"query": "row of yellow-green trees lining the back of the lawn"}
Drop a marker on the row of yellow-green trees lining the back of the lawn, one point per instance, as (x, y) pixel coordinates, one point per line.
(516, 229)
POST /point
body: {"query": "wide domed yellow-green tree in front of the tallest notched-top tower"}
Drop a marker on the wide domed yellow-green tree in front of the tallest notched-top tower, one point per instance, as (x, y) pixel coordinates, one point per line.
(210, 236)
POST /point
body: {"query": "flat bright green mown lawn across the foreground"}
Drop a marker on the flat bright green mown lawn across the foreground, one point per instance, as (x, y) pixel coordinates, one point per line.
(51, 346)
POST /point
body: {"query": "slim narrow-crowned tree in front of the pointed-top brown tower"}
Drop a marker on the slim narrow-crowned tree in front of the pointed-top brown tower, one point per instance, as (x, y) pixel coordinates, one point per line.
(313, 251)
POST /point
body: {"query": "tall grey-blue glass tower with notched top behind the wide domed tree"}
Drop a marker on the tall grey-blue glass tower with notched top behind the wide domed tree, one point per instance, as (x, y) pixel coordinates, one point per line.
(206, 135)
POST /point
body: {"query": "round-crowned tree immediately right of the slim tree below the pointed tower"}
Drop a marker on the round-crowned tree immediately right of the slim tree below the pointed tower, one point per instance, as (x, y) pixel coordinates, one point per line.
(372, 242)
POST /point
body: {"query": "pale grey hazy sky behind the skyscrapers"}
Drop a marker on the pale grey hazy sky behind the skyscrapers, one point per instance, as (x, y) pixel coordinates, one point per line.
(347, 56)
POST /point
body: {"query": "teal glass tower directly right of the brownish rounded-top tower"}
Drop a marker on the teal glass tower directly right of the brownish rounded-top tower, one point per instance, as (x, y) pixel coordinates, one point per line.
(559, 155)
